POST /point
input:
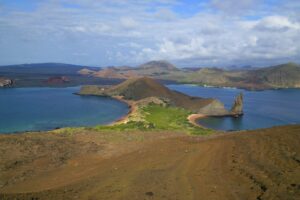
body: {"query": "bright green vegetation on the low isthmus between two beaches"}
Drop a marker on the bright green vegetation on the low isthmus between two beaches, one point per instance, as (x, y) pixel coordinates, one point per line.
(159, 118)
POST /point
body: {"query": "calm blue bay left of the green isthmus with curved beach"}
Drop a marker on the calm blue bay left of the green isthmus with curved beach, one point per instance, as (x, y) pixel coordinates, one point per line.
(27, 109)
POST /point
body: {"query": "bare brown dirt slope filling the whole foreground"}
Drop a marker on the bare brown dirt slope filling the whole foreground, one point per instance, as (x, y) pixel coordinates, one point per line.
(261, 164)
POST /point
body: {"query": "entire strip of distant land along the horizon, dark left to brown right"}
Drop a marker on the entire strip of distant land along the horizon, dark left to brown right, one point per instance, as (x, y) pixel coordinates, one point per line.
(38, 75)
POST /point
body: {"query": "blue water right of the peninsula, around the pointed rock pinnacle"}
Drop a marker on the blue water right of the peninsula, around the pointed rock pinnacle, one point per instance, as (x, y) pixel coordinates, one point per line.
(262, 108)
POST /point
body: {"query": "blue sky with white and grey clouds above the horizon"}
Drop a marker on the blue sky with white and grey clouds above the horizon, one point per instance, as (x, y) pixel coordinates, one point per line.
(190, 33)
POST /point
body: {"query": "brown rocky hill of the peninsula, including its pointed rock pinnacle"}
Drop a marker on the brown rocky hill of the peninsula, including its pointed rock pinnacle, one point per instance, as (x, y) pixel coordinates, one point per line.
(140, 88)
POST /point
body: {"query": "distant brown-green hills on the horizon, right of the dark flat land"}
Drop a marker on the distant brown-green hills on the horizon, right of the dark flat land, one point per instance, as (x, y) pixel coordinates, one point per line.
(274, 77)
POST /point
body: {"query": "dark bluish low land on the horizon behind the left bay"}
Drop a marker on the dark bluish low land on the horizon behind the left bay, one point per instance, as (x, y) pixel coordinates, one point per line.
(50, 75)
